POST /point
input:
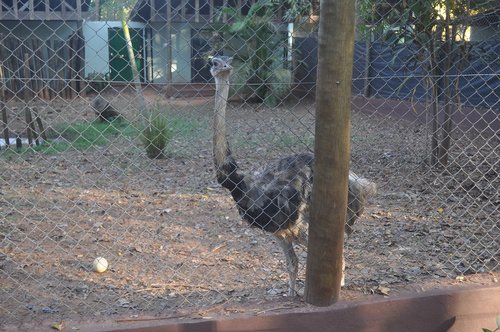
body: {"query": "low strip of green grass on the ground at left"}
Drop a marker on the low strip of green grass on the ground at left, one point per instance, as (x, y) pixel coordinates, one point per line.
(83, 136)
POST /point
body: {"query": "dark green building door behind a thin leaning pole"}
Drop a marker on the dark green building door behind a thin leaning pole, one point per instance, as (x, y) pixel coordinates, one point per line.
(119, 63)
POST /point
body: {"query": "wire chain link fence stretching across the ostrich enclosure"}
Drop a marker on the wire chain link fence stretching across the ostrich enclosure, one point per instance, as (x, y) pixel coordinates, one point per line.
(102, 156)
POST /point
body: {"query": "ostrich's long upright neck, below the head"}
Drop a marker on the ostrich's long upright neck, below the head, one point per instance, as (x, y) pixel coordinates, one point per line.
(226, 166)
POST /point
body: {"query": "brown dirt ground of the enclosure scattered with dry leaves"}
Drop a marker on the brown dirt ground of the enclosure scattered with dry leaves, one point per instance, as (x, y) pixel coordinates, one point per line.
(176, 245)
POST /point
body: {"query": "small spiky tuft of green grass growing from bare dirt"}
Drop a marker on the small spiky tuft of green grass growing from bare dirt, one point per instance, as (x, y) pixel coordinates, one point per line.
(156, 135)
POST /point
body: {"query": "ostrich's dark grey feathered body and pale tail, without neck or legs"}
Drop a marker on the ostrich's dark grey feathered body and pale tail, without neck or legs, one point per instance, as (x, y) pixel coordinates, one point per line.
(277, 198)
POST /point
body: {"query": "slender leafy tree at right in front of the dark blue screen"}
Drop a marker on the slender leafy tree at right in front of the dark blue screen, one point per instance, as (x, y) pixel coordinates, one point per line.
(436, 28)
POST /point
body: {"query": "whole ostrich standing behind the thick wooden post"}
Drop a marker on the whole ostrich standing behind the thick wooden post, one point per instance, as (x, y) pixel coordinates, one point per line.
(276, 198)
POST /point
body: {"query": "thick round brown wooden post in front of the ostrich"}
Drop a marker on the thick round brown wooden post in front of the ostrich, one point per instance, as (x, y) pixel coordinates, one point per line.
(331, 167)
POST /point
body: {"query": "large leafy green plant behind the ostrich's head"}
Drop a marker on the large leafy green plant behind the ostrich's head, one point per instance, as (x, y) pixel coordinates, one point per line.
(261, 69)
